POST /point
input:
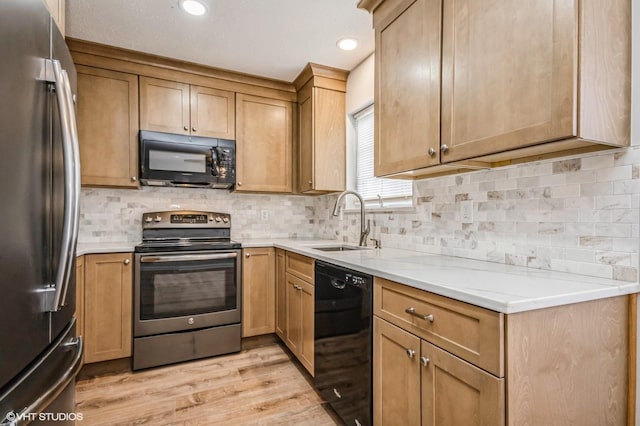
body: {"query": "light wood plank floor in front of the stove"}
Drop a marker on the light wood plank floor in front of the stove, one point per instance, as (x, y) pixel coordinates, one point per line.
(258, 386)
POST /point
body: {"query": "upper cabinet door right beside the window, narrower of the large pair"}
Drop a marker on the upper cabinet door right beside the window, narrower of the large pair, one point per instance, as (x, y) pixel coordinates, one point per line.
(407, 93)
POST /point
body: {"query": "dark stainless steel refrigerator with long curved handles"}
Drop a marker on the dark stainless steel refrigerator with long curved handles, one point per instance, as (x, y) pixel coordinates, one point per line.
(39, 170)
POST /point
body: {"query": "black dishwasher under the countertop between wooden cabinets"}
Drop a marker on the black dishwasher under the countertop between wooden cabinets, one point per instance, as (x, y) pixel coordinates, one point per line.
(343, 318)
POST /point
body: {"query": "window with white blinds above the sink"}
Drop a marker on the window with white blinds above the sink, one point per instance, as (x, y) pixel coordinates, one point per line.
(377, 192)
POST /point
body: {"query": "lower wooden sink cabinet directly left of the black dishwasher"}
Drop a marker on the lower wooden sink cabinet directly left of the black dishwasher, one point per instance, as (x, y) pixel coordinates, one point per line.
(295, 305)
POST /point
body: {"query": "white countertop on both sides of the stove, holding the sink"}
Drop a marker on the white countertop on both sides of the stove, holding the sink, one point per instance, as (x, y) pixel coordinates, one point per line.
(503, 288)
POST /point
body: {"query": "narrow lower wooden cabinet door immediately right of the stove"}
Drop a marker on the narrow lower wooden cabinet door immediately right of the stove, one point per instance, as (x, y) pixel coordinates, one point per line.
(258, 285)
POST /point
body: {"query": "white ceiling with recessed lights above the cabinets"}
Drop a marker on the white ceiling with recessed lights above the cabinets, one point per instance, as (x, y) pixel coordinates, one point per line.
(270, 38)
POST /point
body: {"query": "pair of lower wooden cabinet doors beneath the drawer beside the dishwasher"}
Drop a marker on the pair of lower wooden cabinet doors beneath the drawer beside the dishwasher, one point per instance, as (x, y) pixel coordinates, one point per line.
(416, 380)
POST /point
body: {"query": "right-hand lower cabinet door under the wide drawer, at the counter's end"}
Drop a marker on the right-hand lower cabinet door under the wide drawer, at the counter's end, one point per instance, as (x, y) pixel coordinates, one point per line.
(455, 392)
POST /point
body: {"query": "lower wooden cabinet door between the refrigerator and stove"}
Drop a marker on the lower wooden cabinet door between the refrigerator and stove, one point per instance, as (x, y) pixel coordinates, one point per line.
(108, 302)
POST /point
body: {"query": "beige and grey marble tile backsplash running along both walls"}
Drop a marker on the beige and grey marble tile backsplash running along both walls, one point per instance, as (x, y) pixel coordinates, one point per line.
(577, 214)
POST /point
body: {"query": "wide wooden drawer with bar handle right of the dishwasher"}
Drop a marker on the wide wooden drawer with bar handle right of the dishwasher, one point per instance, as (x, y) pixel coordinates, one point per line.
(474, 334)
